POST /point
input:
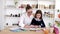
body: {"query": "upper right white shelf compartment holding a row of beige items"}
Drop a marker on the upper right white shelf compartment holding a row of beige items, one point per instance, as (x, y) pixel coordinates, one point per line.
(46, 4)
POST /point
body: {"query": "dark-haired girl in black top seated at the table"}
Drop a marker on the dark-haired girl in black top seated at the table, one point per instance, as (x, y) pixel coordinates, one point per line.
(37, 21)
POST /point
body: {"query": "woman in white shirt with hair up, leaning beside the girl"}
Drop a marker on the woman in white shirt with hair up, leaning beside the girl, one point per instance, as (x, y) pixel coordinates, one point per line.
(26, 18)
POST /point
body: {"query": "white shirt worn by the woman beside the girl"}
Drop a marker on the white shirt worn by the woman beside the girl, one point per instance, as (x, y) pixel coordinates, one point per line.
(25, 20)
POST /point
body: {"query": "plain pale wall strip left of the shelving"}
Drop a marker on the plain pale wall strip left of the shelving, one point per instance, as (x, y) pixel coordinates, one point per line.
(2, 14)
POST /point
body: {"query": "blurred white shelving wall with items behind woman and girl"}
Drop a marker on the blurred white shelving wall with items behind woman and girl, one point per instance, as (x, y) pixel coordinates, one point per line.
(11, 10)
